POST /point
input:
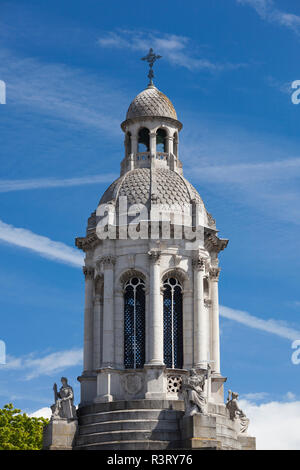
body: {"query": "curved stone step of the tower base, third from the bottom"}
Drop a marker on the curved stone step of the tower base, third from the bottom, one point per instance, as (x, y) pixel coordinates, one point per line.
(129, 424)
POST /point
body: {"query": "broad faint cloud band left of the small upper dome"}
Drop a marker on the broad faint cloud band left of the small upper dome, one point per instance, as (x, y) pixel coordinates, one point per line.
(63, 92)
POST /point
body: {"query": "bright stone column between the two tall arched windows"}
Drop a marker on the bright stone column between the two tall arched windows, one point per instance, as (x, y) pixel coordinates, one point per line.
(156, 331)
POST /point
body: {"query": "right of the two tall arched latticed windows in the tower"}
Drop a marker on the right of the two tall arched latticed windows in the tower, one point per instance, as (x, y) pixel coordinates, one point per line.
(173, 330)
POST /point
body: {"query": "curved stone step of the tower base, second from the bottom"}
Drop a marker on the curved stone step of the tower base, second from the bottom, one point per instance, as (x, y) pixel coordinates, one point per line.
(128, 435)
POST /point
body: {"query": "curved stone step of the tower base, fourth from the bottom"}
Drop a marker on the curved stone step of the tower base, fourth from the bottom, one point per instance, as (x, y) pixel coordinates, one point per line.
(129, 414)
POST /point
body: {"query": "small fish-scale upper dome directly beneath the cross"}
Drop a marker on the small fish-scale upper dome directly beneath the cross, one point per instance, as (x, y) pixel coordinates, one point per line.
(151, 102)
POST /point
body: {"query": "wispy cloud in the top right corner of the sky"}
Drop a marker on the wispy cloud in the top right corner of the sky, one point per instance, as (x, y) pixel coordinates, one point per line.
(267, 10)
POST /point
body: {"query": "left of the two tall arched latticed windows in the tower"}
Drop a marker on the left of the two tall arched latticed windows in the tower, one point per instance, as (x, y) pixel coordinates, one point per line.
(134, 323)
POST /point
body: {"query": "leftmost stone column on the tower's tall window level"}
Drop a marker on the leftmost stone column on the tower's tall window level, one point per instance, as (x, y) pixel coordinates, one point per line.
(88, 319)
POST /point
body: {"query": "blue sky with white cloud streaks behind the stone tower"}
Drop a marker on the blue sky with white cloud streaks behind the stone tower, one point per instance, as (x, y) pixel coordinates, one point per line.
(71, 70)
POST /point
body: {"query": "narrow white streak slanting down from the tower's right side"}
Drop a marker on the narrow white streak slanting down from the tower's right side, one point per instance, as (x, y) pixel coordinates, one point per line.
(270, 326)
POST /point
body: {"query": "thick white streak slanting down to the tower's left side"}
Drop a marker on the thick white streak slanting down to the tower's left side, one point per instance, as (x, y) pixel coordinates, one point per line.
(43, 245)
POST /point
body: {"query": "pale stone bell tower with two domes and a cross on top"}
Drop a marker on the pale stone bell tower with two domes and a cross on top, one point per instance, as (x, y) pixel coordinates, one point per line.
(151, 297)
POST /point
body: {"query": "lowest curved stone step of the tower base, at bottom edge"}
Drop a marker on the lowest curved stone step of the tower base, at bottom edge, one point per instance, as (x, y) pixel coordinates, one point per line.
(129, 445)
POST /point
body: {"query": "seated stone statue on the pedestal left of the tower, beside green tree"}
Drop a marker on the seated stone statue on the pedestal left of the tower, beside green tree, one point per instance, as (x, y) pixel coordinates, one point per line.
(64, 402)
